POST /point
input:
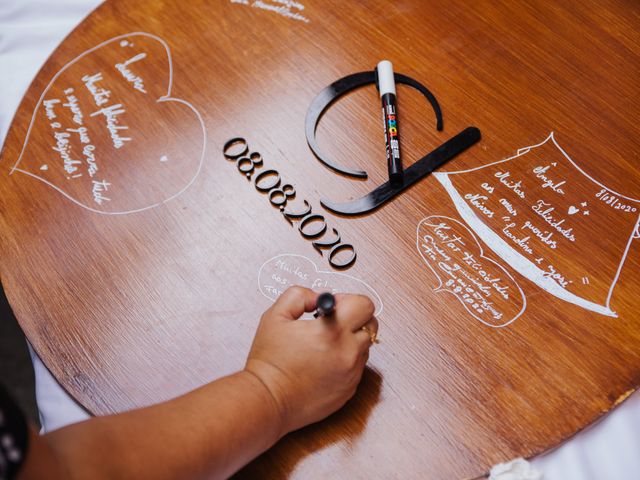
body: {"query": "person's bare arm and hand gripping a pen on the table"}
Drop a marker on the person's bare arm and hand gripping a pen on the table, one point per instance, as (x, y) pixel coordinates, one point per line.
(297, 373)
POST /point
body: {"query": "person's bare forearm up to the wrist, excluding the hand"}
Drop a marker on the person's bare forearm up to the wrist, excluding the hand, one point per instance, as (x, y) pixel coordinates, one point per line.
(209, 433)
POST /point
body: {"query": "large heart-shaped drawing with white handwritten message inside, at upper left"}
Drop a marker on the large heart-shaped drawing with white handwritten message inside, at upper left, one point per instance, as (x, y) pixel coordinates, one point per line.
(109, 136)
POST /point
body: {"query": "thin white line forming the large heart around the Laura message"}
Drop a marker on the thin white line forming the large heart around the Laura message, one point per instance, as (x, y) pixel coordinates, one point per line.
(164, 98)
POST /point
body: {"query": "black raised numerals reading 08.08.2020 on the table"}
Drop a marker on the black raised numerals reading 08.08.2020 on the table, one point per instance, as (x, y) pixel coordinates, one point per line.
(311, 226)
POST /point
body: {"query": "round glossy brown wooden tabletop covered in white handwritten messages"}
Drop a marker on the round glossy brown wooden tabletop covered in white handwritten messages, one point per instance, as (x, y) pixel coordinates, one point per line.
(138, 258)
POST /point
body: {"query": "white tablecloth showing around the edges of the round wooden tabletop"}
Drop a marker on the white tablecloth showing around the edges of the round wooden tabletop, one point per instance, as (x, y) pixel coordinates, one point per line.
(29, 32)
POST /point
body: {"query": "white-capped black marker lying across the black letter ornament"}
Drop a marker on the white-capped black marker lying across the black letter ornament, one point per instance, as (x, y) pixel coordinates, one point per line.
(387, 87)
